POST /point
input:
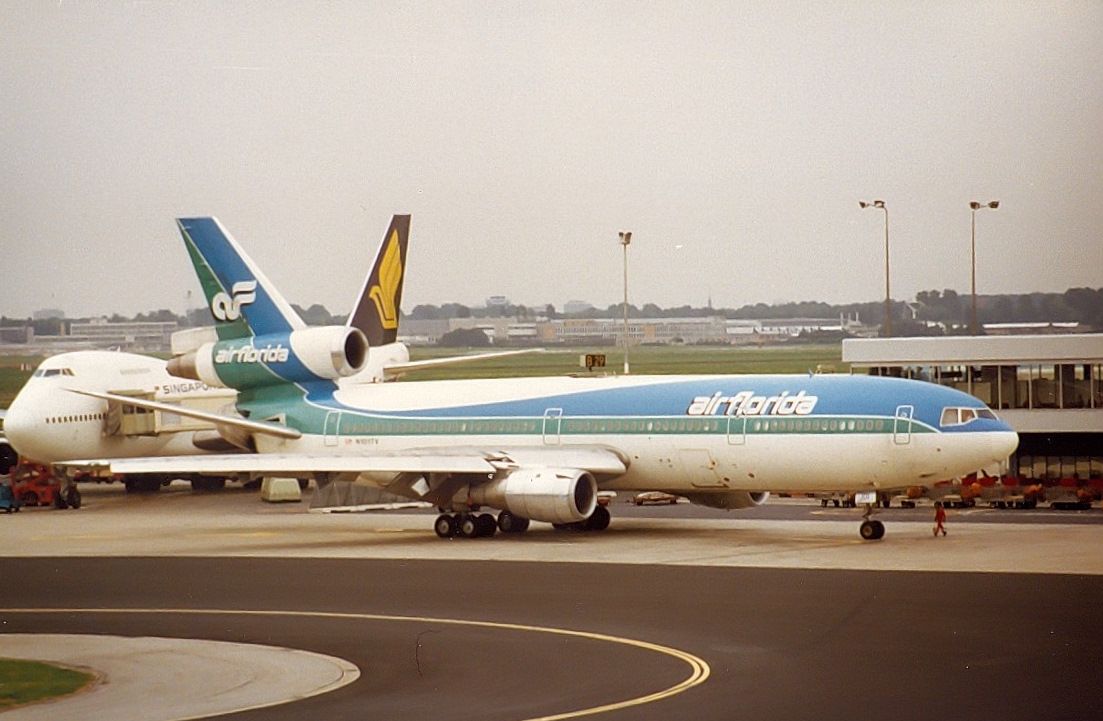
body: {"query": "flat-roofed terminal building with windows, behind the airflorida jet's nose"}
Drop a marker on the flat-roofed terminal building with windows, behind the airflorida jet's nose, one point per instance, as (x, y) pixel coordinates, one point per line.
(1048, 388)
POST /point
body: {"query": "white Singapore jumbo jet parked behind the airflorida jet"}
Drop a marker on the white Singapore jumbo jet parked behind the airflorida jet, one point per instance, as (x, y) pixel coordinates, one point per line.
(51, 425)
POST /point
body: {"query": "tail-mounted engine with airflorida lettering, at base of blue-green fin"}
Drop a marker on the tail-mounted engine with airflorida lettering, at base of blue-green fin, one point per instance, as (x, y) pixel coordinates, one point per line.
(299, 357)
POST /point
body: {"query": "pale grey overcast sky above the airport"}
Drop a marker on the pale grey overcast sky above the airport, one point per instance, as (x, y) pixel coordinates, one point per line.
(734, 139)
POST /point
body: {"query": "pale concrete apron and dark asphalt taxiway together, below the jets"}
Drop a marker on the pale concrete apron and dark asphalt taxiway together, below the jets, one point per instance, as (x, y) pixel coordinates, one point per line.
(657, 618)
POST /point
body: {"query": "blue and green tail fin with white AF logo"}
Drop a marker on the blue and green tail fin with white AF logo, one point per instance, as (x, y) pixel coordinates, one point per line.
(240, 297)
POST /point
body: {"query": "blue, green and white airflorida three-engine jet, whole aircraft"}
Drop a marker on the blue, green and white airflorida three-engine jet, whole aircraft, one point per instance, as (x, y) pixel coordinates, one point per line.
(540, 449)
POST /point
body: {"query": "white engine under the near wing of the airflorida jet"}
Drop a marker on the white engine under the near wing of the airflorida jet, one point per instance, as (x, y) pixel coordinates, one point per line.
(552, 496)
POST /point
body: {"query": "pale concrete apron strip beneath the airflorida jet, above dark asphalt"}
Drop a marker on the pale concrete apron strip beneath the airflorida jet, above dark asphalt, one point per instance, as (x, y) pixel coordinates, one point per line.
(235, 523)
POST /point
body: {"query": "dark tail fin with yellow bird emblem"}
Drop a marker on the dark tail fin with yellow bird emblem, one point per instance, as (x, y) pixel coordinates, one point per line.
(378, 308)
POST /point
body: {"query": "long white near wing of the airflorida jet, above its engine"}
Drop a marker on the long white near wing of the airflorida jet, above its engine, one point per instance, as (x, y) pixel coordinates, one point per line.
(598, 460)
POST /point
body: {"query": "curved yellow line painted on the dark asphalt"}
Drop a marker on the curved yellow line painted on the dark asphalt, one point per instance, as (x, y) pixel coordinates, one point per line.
(700, 670)
